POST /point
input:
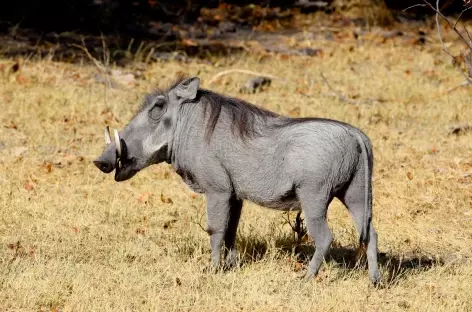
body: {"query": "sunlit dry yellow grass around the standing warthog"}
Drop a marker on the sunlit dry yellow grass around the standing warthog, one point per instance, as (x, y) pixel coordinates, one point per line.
(72, 239)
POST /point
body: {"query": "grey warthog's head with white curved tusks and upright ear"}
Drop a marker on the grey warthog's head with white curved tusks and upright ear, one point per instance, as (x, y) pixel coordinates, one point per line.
(145, 139)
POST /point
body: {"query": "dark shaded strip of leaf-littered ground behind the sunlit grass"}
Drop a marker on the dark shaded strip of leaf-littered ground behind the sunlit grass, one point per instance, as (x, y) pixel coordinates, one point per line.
(193, 27)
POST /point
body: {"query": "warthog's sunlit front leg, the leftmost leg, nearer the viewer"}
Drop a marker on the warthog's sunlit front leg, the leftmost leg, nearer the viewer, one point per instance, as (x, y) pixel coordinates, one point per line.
(218, 216)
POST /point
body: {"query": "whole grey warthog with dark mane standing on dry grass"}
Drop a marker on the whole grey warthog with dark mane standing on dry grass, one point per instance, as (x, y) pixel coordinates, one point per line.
(232, 150)
